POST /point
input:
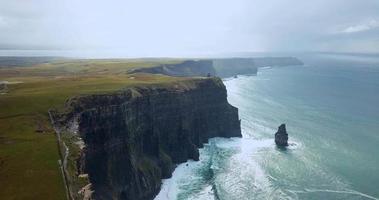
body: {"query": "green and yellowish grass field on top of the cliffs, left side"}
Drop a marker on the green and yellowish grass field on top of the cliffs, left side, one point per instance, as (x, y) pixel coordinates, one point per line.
(28, 148)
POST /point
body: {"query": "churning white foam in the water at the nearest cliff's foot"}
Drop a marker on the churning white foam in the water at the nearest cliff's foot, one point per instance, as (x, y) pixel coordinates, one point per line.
(243, 170)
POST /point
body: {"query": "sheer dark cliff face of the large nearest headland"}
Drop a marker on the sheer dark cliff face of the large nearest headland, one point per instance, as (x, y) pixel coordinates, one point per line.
(134, 138)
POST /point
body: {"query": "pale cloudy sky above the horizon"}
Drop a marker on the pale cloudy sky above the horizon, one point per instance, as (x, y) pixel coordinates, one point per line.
(190, 27)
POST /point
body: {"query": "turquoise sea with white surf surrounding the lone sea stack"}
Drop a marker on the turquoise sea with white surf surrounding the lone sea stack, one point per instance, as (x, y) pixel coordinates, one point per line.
(331, 108)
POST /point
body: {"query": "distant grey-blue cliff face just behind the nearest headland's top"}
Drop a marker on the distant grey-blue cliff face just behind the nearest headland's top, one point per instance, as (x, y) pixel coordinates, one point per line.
(187, 68)
